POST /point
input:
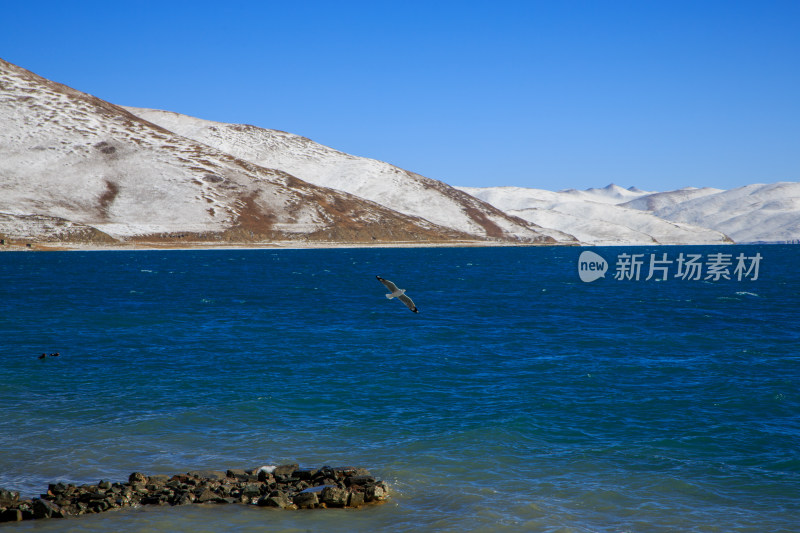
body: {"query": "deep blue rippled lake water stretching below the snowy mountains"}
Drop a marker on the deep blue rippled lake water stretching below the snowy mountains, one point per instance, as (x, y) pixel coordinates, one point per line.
(519, 399)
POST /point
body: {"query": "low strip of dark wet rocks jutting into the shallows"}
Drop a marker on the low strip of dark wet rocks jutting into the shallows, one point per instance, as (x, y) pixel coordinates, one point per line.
(284, 487)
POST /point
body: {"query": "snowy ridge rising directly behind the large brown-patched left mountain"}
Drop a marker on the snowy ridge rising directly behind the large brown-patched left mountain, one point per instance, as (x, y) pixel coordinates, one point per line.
(380, 182)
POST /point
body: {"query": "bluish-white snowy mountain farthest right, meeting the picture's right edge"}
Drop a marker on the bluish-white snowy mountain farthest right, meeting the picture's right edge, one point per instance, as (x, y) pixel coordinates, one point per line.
(753, 213)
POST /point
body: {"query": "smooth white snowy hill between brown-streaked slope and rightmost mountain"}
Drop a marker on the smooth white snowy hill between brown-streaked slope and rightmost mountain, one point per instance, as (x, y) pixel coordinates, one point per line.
(595, 216)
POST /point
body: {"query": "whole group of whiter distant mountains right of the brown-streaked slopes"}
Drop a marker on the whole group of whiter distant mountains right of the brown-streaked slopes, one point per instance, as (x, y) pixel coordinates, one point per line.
(613, 215)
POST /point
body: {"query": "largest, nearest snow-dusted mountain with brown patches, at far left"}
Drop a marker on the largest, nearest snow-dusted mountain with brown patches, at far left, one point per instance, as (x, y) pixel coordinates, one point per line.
(74, 167)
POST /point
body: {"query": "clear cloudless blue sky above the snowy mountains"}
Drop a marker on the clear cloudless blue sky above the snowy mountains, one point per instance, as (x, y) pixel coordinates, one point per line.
(548, 94)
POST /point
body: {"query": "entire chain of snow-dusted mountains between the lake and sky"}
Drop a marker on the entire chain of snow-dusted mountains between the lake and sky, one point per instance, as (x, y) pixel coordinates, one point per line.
(77, 169)
